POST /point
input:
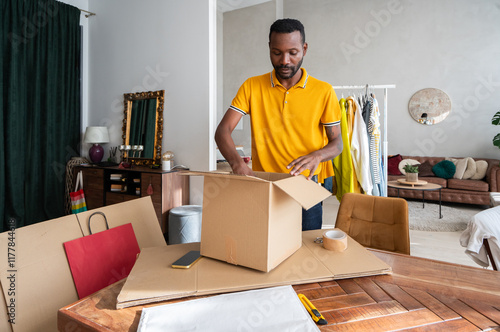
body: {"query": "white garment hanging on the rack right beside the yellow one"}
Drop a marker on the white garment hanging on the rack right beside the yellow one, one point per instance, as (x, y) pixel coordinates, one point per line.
(360, 150)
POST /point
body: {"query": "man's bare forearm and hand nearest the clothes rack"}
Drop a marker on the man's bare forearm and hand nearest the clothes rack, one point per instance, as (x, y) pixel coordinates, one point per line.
(328, 152)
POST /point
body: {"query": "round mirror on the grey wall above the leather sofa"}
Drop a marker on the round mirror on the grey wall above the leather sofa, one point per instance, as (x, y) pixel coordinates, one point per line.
(429, 106)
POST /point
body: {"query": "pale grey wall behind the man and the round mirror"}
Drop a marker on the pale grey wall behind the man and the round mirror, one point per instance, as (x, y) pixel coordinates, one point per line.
(451, 45)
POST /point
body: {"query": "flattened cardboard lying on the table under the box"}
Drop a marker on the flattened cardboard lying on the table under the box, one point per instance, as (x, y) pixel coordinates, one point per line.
(152, 279)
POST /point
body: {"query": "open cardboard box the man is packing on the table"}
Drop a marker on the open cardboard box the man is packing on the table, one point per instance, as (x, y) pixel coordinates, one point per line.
(255, 221)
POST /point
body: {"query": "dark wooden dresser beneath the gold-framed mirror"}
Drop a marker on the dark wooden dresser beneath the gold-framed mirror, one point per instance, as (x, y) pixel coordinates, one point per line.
(110, 185)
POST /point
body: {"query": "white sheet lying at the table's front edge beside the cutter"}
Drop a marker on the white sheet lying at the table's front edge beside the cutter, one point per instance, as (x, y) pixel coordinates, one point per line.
(269, 309)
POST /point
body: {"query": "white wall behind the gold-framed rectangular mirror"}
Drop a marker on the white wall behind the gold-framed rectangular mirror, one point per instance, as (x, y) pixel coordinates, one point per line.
(157, 45)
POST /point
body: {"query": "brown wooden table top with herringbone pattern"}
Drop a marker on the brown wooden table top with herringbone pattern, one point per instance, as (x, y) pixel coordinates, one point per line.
(421, 294)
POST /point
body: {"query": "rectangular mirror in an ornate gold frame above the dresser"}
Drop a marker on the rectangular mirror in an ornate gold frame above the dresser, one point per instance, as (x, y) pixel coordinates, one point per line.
(143, 126)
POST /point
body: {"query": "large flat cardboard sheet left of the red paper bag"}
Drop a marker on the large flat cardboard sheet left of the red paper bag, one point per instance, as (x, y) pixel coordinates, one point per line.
(43, 281)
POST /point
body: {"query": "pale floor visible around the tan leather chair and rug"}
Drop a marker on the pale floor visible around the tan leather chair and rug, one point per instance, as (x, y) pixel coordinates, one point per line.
(443, 246)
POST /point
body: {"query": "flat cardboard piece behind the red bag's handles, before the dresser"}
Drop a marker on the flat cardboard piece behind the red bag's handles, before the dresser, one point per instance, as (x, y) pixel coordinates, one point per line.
(139, 212)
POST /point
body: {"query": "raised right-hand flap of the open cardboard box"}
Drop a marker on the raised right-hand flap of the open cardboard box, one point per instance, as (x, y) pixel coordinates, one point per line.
(306, 192)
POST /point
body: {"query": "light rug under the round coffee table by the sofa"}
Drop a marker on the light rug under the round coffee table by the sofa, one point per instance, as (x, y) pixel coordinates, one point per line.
(427, 218)
